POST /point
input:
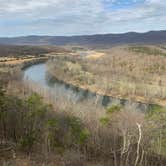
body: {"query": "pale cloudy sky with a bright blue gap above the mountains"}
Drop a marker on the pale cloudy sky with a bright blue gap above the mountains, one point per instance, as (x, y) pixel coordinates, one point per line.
(80, 17)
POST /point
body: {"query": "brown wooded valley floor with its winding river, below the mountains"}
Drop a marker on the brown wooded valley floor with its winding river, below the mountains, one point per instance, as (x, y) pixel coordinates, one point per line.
(83, 98)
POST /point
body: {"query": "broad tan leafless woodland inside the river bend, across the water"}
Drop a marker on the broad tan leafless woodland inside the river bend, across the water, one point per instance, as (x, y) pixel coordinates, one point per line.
(134, 72)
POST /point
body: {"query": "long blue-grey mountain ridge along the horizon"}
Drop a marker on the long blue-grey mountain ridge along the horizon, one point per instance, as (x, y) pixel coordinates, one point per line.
(152, 37)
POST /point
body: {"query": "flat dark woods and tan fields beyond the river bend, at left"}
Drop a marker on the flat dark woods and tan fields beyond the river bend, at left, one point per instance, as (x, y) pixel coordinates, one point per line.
(22, 56)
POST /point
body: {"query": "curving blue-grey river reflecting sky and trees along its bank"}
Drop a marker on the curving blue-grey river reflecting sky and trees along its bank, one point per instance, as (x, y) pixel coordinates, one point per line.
(38, 74)
